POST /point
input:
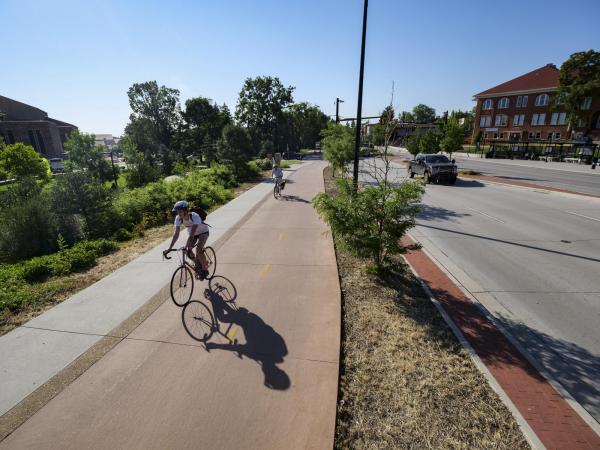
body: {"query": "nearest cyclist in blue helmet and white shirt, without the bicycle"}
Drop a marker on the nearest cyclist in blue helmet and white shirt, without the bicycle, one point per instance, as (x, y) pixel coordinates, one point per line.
(197, 236)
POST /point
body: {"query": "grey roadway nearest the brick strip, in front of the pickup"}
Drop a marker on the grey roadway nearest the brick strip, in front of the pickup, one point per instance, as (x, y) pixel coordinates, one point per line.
(532, 258)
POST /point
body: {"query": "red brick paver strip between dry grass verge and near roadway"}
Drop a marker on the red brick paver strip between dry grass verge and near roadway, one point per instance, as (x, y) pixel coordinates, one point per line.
(553, 420)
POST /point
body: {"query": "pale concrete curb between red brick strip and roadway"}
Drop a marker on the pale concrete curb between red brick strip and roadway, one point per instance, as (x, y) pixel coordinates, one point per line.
(583, 413)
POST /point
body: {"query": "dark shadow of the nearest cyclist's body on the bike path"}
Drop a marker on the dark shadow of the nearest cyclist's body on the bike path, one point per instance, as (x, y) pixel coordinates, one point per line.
(263, 344)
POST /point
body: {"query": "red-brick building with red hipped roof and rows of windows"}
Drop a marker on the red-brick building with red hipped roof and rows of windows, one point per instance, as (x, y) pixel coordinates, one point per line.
(527, 109)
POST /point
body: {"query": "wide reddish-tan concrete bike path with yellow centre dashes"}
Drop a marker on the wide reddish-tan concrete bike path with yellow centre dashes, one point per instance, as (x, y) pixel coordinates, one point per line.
(276, 387)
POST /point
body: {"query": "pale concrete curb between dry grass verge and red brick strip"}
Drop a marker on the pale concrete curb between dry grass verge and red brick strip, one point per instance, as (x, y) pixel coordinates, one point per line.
(528, 432)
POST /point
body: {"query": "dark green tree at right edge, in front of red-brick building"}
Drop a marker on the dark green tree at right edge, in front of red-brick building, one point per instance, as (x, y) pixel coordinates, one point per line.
(579, 78)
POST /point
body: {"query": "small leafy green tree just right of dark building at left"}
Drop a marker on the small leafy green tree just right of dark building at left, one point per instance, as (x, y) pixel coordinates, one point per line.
(85, 155)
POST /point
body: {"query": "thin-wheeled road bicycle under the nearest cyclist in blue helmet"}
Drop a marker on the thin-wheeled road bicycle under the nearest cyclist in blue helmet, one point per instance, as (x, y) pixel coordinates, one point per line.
(182, 281)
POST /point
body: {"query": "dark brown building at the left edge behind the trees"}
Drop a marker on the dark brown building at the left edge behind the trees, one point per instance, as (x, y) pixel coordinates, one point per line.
(24, 123)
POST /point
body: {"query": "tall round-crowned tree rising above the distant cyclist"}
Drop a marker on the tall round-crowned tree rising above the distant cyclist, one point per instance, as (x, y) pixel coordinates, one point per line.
(260, 108)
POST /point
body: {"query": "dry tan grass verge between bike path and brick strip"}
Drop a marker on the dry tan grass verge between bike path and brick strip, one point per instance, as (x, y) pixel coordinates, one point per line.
(405, 380)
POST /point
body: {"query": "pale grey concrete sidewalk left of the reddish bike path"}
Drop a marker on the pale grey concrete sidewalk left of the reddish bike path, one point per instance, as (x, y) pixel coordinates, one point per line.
(35, 352)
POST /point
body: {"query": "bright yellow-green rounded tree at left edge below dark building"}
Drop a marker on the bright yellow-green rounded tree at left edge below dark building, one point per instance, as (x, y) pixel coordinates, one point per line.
(22, 161)
